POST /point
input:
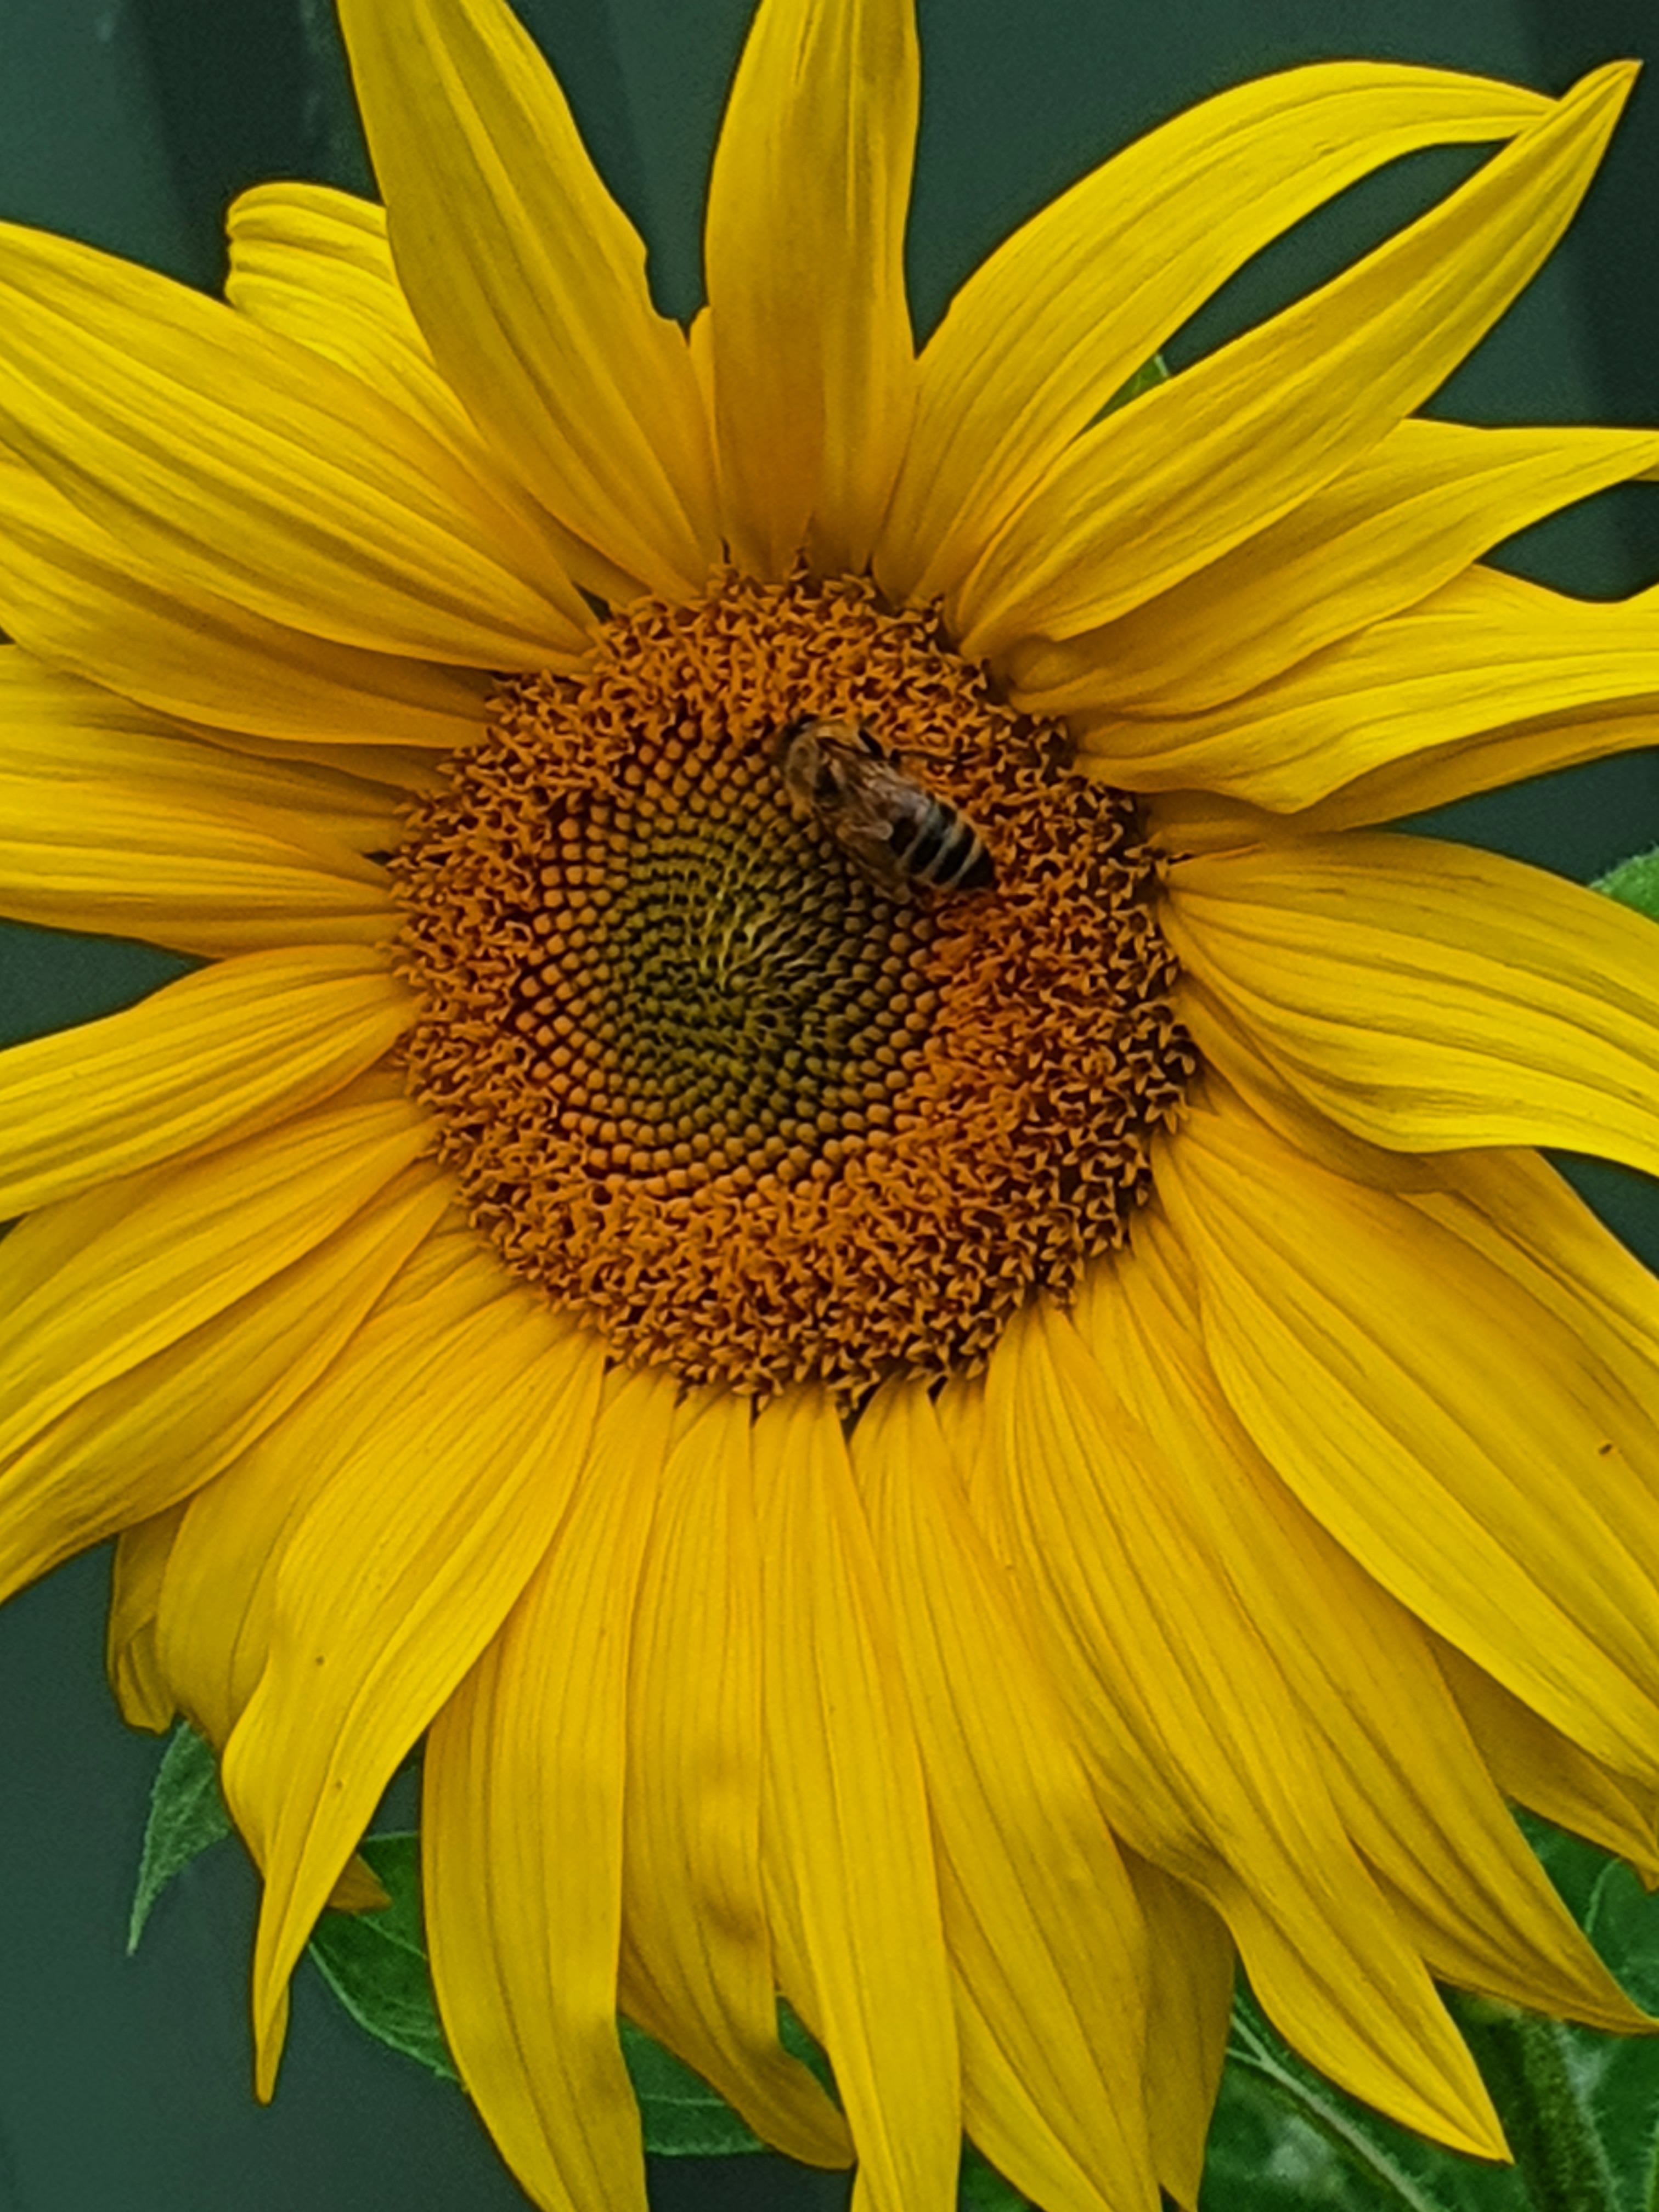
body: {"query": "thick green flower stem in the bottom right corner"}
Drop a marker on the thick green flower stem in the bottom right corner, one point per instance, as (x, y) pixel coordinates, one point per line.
(1547, 2114)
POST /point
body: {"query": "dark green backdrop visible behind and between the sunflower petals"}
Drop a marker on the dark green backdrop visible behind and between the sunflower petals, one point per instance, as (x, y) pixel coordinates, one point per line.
(125, 2087)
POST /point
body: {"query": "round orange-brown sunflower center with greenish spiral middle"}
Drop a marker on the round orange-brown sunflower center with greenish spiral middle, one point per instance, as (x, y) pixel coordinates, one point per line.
(724, 1052)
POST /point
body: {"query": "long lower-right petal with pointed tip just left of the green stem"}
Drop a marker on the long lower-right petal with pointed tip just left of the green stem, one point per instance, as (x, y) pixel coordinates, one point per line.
(1196, 1742)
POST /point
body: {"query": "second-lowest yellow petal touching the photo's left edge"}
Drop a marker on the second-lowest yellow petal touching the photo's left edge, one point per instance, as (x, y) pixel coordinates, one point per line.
(103, 1282)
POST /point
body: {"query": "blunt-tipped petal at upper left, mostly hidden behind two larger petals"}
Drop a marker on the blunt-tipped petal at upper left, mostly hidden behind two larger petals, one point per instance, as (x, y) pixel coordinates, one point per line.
(315, 264)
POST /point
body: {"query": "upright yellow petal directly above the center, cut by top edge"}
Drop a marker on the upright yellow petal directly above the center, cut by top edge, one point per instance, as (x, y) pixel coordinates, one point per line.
(808, 324)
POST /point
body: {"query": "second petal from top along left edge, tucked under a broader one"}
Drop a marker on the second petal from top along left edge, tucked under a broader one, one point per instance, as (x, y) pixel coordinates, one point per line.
(83, 598)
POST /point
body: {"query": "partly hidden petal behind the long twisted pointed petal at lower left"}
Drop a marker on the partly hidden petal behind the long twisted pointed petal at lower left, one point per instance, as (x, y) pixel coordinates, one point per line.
(213, 1625)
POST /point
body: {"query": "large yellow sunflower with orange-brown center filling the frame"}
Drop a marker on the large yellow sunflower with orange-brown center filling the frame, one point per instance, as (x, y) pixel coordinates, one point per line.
(963, 1457)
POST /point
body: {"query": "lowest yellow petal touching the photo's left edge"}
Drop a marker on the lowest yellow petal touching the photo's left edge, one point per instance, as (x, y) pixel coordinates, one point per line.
(169, 1423)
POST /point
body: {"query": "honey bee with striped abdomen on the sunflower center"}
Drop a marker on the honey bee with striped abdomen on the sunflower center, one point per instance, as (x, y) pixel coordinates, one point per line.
(899, 833)
